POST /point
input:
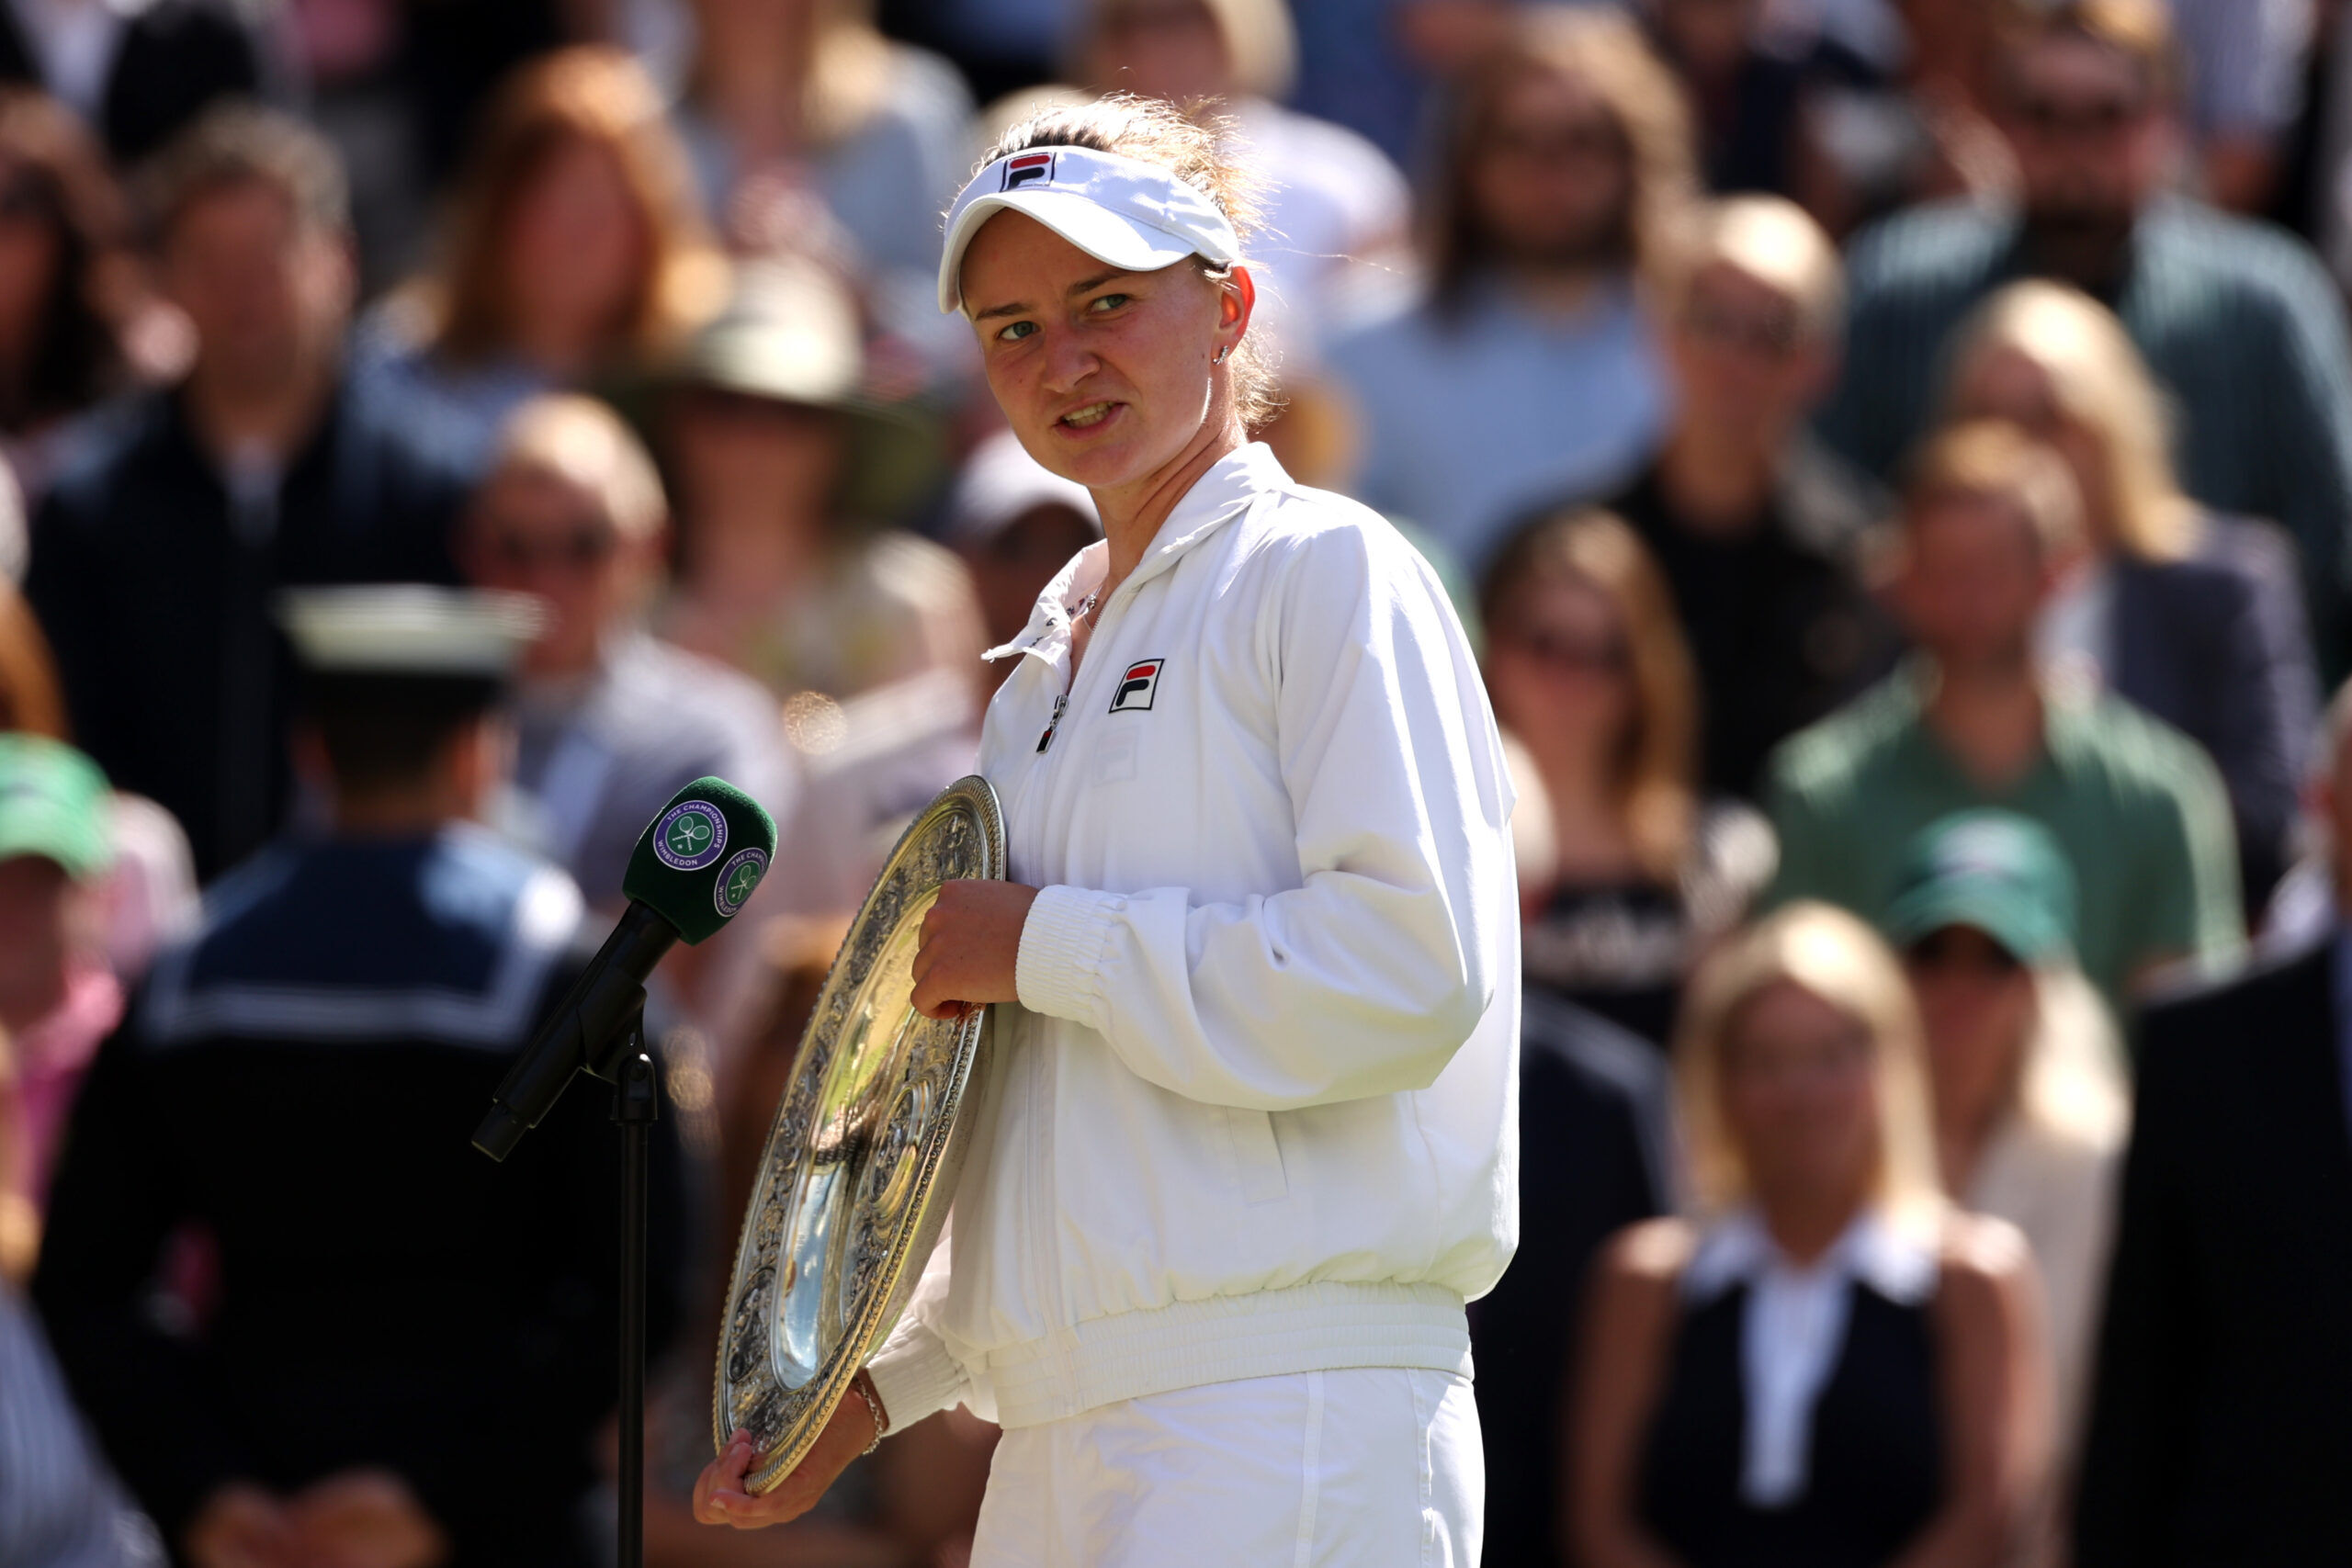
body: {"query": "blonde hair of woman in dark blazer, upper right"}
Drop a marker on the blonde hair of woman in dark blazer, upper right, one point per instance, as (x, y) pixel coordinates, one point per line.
(2099, 384)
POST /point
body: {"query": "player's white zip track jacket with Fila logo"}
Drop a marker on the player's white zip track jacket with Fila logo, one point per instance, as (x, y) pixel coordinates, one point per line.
(1257, 1106)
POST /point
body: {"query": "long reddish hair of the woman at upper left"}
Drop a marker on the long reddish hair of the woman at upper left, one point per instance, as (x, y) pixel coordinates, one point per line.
(589, 95)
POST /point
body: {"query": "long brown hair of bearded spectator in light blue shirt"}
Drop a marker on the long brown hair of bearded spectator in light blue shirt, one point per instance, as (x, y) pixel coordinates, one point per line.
(1605, 53)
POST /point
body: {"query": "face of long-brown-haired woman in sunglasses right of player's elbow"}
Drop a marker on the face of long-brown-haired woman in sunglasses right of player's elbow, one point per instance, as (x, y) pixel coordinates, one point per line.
(1561, 671)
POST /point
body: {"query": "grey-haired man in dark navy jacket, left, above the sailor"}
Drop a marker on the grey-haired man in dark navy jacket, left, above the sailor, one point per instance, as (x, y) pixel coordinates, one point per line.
(159, 551)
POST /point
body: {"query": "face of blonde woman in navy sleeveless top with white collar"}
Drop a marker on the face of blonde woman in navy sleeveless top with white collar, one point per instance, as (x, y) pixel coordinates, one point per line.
(1800, 1097)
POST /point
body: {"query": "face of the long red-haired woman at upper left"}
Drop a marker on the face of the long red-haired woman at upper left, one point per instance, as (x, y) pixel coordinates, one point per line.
(575, 241)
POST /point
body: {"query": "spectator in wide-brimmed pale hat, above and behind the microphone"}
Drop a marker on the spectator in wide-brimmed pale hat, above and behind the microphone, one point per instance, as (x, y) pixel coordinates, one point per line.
(787, 471)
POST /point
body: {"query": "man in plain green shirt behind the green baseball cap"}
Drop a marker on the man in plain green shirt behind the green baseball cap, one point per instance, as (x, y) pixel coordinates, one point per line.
(1975, 723)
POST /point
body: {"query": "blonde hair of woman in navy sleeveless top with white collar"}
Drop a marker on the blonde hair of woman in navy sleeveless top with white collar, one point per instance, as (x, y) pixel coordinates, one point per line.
(1836, 958)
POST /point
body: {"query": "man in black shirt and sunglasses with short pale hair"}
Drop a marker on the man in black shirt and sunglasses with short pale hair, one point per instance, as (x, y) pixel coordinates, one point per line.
(1758, 530)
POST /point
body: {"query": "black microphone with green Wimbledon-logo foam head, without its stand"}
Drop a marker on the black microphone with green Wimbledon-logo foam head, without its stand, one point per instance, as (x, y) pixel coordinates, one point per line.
(695, 866)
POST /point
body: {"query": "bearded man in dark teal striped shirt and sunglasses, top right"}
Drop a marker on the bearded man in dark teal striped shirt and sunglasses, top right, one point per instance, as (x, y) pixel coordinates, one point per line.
(2238, 321)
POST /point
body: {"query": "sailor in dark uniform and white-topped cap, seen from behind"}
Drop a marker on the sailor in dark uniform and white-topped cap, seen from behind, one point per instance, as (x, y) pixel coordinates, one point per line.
(410, 1346)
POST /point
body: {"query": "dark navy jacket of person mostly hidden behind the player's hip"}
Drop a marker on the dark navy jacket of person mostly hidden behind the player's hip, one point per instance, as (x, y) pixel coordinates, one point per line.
(1593, 1158)
